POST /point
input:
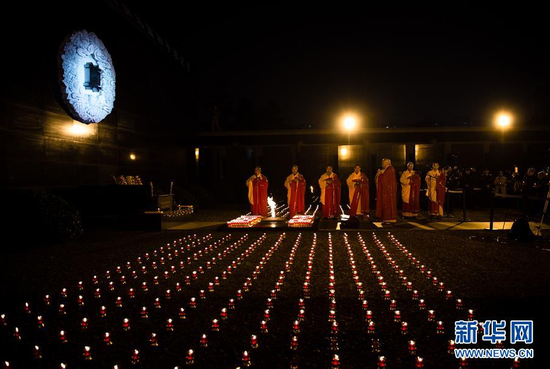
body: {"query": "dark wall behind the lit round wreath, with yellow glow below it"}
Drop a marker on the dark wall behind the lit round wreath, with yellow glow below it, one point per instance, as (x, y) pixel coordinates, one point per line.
(153, 114)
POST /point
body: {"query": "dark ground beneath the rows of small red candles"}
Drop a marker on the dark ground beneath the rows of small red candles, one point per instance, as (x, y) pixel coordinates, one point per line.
(499, 278)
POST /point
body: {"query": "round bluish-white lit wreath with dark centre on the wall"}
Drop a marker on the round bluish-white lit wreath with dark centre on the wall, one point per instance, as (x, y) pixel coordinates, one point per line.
(87, 77)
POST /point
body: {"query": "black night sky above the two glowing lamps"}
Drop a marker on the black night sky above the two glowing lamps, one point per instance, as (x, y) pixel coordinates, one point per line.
(303, 66)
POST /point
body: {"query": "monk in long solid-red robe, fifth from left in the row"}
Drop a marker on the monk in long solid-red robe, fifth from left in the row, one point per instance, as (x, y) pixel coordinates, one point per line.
(386, 193)
